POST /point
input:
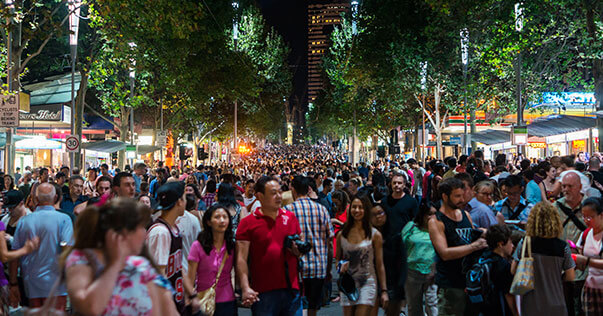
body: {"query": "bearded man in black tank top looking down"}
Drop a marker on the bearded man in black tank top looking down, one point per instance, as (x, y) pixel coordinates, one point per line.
(451, 232)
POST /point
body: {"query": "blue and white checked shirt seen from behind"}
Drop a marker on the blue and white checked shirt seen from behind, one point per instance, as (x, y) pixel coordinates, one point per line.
(315, 224)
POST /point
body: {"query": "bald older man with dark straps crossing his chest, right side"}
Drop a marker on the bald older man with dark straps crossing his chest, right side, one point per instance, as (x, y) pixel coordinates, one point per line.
(569, 209)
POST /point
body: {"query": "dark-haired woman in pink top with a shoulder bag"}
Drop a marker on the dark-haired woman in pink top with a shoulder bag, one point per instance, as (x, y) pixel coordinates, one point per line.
(206, 255)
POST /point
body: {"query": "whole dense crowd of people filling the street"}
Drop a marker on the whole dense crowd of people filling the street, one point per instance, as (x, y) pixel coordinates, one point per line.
(273, 230)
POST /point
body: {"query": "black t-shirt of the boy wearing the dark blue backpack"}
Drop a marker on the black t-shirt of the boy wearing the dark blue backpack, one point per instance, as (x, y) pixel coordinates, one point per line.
(502, 279)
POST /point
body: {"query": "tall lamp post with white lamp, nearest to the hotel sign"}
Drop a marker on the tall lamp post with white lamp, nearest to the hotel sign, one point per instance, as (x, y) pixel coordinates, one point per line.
(74, 21)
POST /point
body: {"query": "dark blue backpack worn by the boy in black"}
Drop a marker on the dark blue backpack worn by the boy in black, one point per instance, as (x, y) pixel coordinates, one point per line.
(478, 282)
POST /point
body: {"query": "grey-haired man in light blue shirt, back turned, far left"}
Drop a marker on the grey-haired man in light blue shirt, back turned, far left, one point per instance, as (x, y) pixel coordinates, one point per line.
(40, 269)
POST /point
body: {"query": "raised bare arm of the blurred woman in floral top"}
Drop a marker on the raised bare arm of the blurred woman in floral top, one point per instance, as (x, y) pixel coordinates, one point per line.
(90, 296)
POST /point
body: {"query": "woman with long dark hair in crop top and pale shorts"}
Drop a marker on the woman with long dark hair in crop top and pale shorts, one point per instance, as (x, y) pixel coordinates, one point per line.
(360, 253)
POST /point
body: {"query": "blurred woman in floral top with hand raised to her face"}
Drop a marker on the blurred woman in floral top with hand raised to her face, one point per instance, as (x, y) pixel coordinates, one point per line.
(104, 273)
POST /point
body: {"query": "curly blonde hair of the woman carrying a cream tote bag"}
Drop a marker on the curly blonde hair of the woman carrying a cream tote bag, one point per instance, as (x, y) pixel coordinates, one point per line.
(544, 221)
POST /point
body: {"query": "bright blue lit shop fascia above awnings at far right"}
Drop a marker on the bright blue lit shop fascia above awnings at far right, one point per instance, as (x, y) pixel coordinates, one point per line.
(560, 124)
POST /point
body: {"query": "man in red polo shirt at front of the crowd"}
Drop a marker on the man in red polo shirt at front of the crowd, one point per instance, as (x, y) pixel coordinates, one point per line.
(272, 291)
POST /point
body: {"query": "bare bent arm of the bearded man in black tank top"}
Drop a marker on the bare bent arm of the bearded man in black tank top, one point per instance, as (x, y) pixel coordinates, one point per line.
(436, 233)
